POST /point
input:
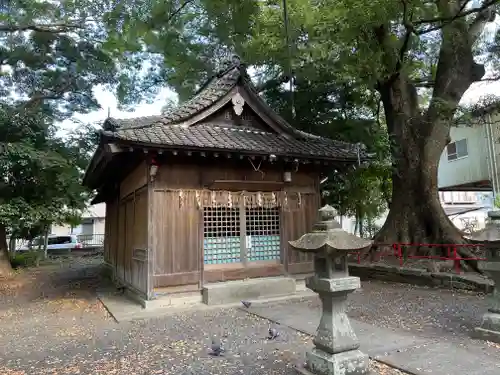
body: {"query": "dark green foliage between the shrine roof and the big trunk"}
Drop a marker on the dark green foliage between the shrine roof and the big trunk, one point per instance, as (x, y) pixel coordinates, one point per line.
(339, 111)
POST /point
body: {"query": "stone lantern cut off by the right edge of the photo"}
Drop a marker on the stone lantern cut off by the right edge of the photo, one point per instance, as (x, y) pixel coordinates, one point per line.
(490, 237)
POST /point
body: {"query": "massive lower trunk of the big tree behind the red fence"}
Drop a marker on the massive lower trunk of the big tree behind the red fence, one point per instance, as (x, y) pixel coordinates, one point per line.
(416, 215)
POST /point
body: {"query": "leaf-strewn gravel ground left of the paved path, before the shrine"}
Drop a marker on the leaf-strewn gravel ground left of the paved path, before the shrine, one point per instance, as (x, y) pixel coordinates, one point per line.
(52, 323)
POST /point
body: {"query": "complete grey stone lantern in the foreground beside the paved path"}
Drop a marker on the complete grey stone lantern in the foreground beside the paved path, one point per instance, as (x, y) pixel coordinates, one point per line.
(336, 347)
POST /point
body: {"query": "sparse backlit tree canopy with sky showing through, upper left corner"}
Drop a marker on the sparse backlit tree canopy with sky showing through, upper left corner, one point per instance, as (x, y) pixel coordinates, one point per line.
(52, 56)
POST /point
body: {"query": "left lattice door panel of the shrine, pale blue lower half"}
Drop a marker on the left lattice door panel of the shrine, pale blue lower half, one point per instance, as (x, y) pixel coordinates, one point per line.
(221, 235)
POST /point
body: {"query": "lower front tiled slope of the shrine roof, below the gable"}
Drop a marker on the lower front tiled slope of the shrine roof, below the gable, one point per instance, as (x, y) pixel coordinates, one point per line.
(219, 138)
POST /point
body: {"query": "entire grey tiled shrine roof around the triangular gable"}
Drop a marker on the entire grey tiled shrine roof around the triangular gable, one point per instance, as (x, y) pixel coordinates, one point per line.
(165, 130)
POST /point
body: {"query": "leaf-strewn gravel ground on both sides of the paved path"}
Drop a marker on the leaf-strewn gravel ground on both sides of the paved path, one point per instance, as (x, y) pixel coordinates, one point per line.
(51, 322)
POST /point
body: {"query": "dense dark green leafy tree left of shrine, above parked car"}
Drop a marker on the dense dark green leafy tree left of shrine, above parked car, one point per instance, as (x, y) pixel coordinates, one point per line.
(41, 176)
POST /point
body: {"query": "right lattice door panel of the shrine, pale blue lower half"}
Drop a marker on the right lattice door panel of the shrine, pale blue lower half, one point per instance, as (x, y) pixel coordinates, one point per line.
(263, 233)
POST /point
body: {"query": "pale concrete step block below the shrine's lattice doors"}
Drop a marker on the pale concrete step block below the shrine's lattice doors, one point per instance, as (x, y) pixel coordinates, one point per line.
(234, 291)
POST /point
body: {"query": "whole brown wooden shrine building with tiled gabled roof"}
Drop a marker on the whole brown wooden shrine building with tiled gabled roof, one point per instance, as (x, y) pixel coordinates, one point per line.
(212, 191)
